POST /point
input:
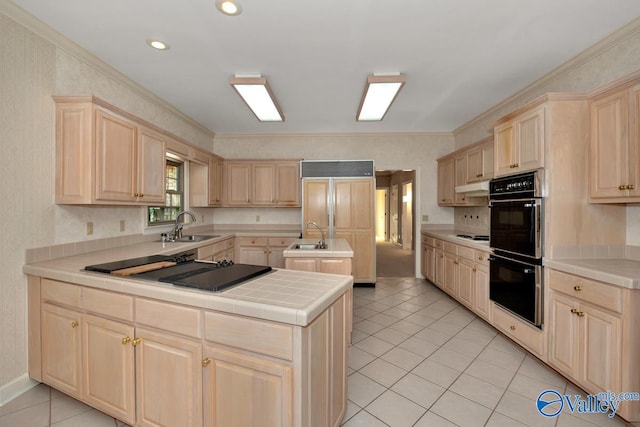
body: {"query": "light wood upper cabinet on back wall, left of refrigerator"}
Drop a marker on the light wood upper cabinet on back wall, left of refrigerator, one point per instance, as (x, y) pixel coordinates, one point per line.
(262, 183)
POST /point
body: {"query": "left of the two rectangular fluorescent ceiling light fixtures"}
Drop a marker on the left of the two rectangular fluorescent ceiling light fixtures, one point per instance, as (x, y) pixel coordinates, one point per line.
(256, 93)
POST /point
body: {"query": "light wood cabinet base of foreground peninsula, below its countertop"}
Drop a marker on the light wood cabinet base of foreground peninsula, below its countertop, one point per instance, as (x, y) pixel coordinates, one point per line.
(164, 364)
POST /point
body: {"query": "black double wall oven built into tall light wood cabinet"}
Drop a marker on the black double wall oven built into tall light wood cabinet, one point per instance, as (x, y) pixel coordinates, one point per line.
(515, 278)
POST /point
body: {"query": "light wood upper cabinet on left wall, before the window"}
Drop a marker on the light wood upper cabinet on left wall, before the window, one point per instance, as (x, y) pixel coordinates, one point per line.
(105, 157)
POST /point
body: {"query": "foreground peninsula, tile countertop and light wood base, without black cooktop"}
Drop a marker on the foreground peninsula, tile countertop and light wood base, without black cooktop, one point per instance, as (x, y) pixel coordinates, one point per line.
(150, 353)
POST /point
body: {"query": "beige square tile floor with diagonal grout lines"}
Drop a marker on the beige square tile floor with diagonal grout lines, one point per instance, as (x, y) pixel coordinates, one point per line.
(418, 359)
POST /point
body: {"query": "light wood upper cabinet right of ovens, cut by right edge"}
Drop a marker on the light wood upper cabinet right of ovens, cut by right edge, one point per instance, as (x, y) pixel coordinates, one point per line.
(615, 146)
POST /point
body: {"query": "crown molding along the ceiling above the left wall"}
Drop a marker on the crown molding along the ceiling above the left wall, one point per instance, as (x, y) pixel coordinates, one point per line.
(16, 13)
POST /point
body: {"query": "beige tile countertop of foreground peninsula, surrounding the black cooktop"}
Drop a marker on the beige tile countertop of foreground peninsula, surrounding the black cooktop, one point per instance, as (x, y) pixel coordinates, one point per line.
(287, 296)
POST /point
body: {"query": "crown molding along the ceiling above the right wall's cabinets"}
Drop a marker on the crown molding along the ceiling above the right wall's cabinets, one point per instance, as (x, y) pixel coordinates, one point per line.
(630, 30)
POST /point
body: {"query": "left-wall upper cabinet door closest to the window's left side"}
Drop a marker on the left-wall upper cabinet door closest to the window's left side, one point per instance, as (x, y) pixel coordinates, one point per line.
(151, 166)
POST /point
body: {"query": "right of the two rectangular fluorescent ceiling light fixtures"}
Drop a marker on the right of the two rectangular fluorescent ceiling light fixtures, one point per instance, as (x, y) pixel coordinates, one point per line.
(379, 93)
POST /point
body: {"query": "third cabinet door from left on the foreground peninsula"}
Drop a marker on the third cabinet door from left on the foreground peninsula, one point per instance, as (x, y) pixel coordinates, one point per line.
(168, 380)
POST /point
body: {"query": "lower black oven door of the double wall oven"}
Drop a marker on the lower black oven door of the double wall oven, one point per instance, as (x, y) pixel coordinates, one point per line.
(517, 287)
